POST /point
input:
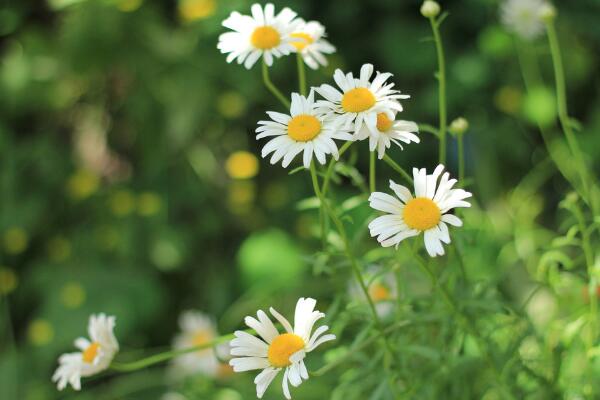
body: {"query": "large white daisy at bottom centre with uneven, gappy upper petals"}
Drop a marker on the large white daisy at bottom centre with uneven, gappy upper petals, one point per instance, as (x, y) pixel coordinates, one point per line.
(273, 352)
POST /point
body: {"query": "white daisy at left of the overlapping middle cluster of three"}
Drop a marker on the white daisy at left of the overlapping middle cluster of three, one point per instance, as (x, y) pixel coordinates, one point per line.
(304, 130)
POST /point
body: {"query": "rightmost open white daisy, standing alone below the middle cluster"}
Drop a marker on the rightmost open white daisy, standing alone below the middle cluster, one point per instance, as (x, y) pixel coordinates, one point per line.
(426, 212)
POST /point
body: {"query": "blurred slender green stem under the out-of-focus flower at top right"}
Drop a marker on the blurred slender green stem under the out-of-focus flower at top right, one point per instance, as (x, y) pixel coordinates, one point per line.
(563, 114)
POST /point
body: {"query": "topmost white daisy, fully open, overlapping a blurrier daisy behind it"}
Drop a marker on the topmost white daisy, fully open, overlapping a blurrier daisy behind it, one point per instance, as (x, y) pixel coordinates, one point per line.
(262, 34)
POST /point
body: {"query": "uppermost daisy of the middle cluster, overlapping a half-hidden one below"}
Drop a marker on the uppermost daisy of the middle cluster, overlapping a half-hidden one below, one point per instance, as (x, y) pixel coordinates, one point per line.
(360, 100)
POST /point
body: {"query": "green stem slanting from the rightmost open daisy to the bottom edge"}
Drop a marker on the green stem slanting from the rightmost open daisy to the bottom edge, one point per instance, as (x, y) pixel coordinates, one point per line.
(465, 321)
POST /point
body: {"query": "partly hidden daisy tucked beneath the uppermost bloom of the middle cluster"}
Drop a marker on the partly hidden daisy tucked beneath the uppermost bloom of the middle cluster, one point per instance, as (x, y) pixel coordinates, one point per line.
(388, 131)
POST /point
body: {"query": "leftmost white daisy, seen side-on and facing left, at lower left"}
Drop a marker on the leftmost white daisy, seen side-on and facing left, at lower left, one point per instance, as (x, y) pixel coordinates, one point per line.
(95, 356)
